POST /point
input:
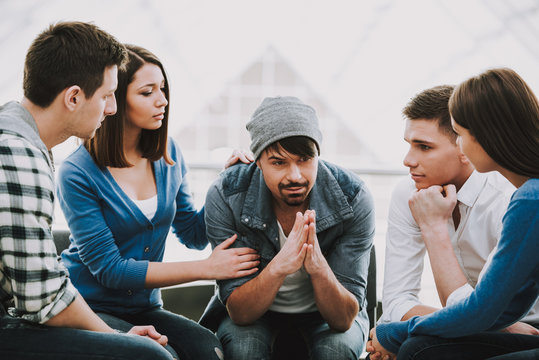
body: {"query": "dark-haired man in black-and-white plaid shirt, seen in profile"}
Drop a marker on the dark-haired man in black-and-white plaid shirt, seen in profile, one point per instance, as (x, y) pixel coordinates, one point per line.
(70, 76)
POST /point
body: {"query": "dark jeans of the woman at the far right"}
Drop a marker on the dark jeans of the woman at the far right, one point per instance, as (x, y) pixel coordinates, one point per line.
(483, 345)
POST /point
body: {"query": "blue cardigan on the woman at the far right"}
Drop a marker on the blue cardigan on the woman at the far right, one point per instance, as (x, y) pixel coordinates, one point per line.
(507, 291)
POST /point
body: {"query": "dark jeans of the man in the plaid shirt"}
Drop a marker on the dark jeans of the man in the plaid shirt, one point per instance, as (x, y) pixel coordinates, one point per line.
(23, 340)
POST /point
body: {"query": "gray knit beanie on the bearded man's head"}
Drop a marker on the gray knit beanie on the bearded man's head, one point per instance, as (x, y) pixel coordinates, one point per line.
(281, 117)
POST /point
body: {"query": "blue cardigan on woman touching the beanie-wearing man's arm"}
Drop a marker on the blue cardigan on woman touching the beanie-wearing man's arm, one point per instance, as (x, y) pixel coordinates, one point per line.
(111, 239)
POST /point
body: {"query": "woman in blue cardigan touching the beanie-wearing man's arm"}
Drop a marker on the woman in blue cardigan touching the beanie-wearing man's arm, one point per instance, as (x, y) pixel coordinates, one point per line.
(121, 192)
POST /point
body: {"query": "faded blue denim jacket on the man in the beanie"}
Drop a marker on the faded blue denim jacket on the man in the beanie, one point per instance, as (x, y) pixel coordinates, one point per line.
(239, 202)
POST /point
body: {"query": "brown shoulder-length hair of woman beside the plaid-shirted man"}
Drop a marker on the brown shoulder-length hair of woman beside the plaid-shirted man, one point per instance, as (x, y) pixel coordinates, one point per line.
(106, 147)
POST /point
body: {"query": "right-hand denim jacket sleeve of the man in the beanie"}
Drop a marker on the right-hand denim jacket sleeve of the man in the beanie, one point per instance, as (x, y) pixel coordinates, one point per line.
(349, 258)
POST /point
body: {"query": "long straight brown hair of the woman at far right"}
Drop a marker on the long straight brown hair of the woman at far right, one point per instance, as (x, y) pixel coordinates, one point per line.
(502, 113)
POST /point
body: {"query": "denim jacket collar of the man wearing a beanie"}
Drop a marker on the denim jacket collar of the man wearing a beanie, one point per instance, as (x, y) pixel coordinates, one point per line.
(326, 198)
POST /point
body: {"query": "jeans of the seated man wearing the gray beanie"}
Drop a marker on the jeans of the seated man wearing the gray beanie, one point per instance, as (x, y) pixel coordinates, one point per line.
(255, 341)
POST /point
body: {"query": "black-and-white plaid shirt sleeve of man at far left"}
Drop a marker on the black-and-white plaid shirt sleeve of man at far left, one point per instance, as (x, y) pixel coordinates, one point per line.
(29, 269)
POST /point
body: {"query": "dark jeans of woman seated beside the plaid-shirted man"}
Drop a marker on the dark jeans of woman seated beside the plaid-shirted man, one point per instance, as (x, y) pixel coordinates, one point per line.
(188, 339)
